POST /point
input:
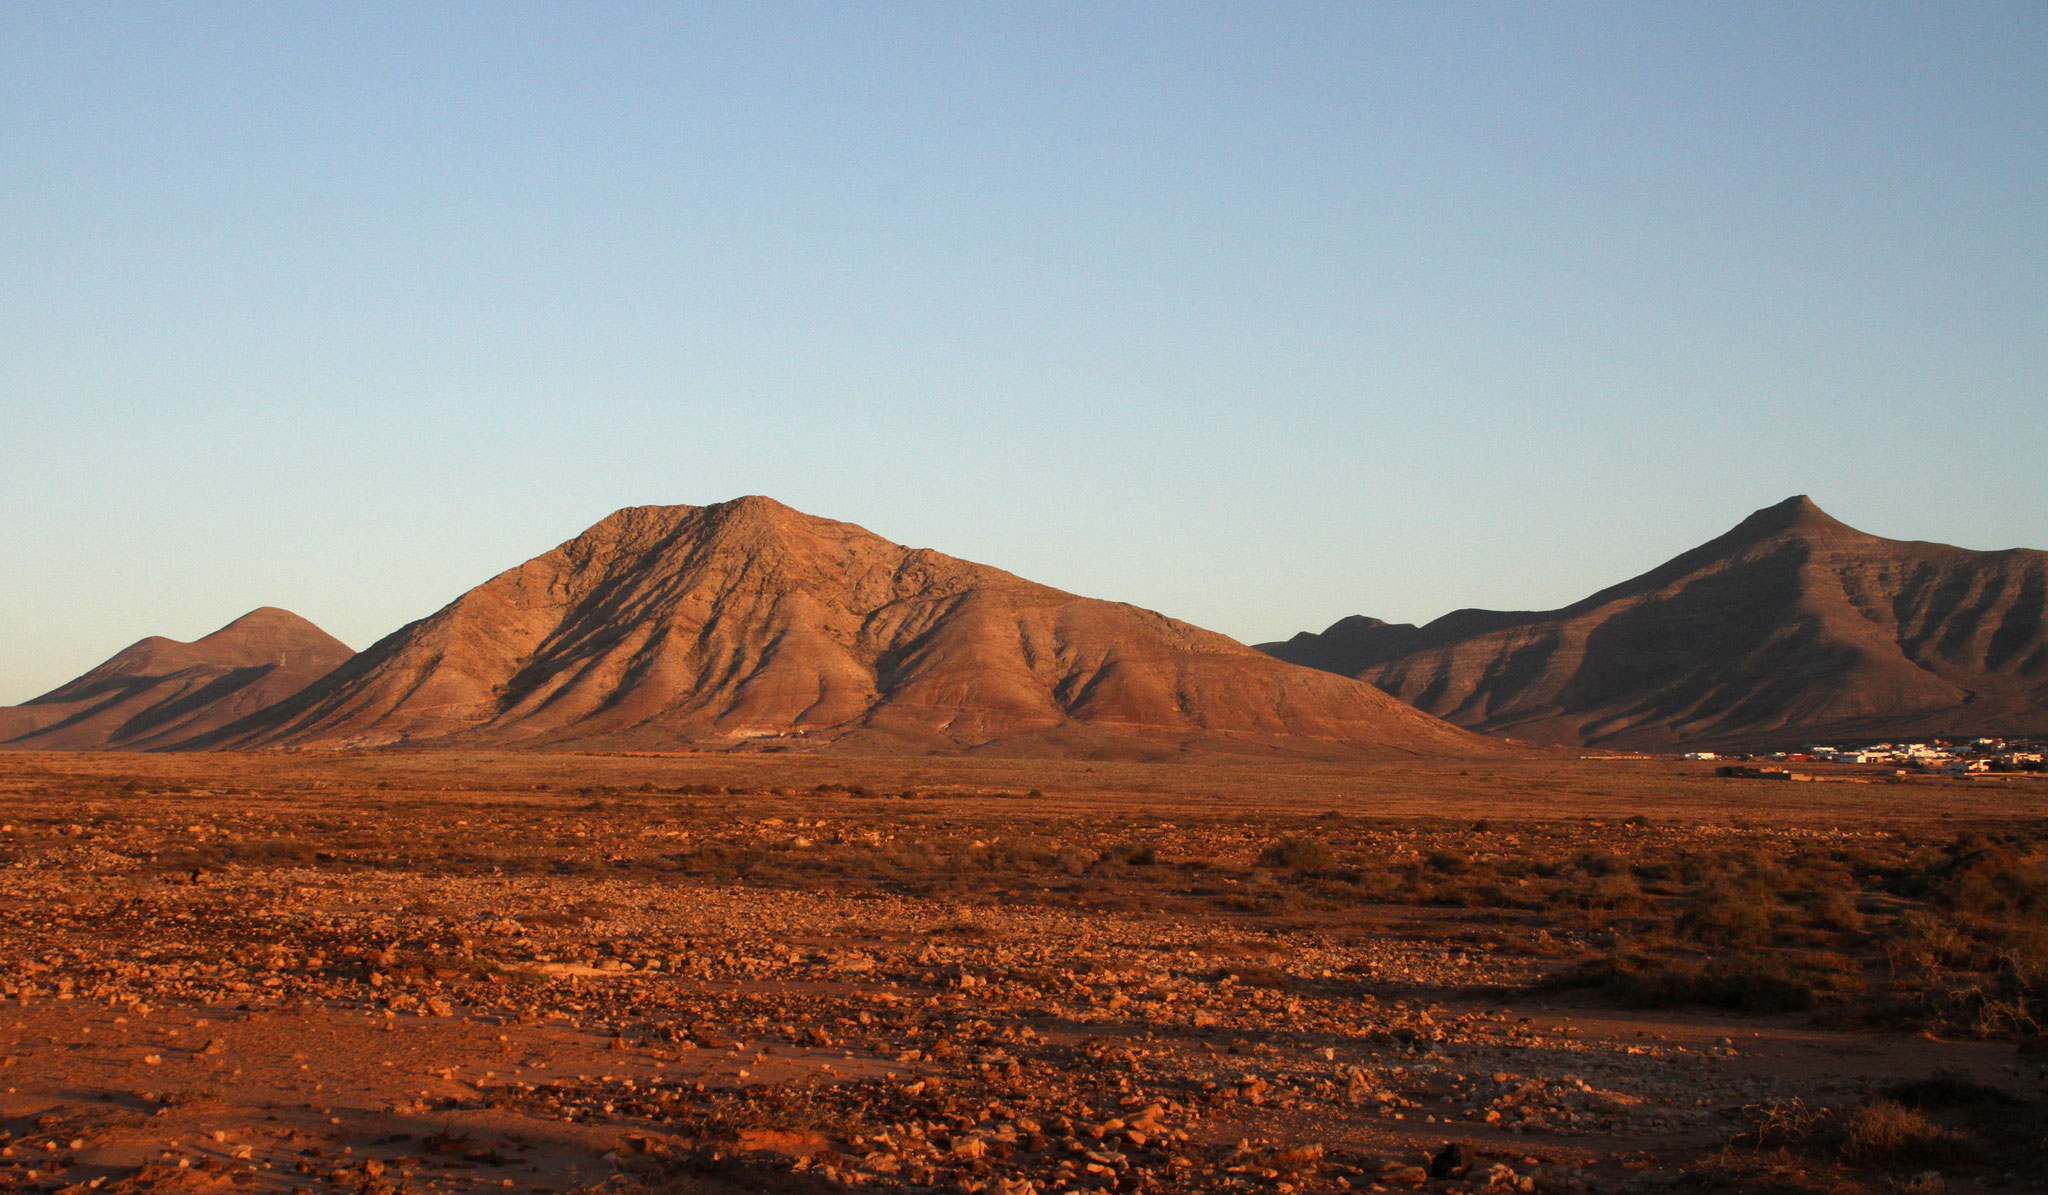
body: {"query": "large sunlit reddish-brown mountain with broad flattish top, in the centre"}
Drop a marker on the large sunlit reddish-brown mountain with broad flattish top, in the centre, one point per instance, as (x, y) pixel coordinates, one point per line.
(751, 626)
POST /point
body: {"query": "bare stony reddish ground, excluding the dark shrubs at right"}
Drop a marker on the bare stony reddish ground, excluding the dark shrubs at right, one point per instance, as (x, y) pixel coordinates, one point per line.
(683, 987)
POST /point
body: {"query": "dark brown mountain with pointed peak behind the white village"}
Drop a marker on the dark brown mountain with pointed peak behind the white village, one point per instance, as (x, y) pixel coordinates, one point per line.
(1791, 628)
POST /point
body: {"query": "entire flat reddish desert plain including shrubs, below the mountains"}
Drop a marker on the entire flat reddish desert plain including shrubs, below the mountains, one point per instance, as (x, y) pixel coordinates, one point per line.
(755, 973)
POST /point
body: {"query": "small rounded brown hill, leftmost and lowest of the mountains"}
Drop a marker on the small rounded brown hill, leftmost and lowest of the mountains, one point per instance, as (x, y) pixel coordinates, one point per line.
(163, 692)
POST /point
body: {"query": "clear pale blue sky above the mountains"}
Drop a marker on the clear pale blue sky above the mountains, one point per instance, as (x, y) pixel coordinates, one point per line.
(1258, 315)
